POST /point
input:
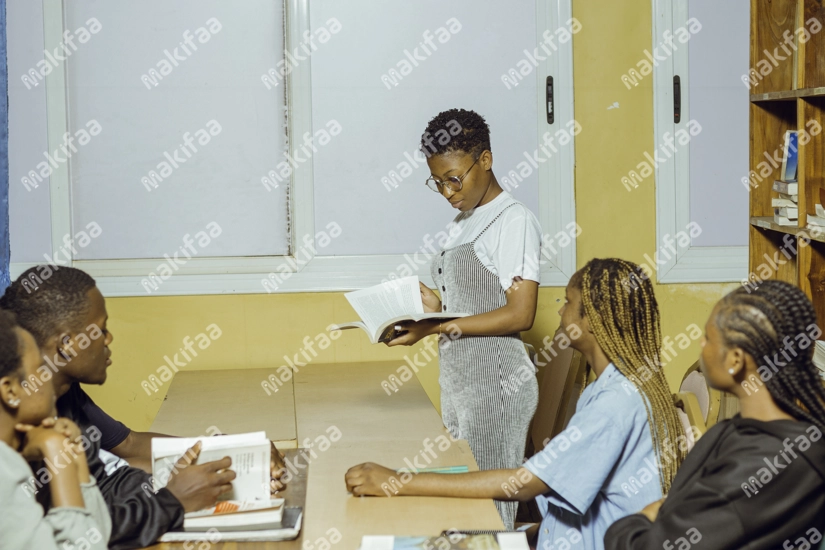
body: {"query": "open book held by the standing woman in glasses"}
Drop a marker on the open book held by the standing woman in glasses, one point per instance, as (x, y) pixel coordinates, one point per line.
(382, 306)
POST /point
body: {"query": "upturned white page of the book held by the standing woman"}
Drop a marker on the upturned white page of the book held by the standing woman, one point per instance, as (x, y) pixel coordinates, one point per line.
(378, 304)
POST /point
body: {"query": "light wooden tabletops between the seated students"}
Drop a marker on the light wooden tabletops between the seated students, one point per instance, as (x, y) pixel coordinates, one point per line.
(345, 399)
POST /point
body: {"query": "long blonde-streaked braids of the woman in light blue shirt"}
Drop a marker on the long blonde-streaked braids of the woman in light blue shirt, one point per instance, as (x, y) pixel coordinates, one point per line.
(624, 317)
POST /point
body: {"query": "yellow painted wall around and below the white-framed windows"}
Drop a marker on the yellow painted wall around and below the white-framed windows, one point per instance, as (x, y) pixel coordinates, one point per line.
(259, 329)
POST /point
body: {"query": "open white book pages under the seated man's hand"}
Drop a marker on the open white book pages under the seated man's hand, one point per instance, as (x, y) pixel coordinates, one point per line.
(250, 454)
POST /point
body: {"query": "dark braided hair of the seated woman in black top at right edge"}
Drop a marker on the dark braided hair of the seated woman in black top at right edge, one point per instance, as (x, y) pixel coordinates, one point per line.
(760, 322)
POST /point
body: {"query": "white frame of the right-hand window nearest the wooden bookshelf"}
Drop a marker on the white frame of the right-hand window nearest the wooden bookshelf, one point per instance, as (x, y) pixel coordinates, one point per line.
(695, 264)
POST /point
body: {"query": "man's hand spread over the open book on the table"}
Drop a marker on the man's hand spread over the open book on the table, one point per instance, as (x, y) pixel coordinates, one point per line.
(198, 486)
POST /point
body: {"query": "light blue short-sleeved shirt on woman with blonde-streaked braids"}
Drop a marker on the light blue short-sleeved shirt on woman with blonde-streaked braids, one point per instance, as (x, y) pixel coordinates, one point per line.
(601, 468)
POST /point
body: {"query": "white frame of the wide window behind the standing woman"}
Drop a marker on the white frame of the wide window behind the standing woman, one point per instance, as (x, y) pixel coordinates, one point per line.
(321, 273)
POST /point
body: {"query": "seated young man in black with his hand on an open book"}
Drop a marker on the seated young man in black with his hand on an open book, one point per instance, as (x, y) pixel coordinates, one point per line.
(66, 314)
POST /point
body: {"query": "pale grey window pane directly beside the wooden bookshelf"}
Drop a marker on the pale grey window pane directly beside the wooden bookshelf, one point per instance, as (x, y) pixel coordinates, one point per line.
(719, 102)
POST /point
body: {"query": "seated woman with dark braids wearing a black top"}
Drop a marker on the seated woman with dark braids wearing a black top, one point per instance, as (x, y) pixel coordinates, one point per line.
(757, 480)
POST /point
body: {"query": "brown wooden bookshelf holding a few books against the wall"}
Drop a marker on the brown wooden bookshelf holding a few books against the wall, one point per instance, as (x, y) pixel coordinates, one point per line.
(790, 97)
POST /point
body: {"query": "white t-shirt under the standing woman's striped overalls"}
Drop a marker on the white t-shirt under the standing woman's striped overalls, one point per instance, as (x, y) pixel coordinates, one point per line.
(510, 247)
